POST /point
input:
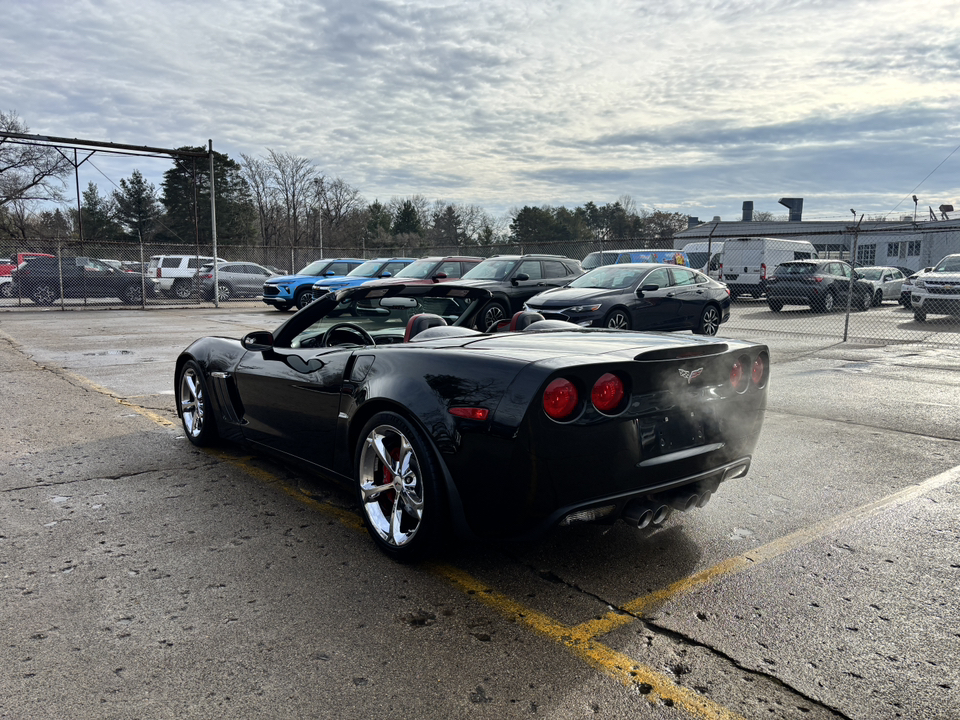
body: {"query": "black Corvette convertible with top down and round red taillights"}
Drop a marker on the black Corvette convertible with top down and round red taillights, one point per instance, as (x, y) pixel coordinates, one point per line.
(501, 434)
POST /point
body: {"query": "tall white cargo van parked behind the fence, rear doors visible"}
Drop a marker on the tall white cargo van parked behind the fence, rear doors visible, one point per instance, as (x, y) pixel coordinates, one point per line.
(748, 262)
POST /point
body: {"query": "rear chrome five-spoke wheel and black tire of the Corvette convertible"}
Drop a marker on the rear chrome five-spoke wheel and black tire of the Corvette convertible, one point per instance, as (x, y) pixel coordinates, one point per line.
(405, 514)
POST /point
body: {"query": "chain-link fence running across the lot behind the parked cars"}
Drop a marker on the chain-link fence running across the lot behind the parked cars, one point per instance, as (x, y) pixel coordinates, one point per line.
(77, 275)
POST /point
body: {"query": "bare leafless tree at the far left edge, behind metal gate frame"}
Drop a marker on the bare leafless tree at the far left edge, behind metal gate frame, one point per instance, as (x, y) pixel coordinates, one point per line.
(28, 172)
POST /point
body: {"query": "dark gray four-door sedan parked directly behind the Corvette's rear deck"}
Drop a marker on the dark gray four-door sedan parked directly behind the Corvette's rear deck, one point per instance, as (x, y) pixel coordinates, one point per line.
(639, 296)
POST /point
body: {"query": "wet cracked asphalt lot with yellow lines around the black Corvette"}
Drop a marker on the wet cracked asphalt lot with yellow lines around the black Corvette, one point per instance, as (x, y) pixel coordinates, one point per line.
(144, 578)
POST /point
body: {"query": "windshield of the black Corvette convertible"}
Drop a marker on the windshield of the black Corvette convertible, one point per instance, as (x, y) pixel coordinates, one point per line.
(385, 317)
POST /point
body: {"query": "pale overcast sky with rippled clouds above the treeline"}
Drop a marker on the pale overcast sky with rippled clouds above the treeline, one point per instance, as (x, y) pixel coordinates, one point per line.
(688, 107)
